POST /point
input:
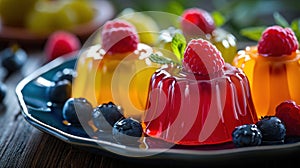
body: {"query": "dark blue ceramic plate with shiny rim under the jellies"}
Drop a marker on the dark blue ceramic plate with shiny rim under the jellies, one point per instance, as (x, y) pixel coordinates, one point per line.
(31, 96)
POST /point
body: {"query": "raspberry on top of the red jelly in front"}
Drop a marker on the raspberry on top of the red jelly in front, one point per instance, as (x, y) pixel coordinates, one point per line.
(202, 57)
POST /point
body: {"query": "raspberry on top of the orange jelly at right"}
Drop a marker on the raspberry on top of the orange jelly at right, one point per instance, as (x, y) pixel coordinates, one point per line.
(277, 41)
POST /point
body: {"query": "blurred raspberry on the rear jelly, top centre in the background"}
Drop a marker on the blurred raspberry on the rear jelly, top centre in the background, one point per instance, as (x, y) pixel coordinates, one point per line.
(195, 18)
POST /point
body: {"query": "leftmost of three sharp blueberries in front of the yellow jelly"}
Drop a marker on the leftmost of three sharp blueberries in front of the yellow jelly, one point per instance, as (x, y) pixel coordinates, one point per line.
(76, 110)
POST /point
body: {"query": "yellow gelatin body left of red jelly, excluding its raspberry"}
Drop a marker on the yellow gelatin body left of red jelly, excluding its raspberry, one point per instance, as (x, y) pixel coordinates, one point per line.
(121, 78)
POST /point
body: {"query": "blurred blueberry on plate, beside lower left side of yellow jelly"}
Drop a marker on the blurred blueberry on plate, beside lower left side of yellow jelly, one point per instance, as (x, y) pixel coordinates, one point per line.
(60, 92)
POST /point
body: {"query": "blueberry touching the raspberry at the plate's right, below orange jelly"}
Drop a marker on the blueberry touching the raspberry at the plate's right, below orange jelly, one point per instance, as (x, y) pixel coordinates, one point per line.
(272, 129)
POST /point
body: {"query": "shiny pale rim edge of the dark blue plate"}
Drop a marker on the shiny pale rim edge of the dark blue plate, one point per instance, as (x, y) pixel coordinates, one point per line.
(177, 154)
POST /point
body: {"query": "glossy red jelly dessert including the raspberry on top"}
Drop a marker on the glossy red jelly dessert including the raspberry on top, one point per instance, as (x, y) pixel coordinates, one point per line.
(200, 103)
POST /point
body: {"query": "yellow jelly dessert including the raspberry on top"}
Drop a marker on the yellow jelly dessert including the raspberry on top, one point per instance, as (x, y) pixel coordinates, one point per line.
(119, 70)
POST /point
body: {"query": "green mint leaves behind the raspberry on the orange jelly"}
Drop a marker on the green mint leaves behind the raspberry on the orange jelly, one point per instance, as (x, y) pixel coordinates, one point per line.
(254, 33)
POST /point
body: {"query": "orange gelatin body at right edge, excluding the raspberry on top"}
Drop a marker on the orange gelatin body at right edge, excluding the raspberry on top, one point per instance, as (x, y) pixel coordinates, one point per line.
(272, 79)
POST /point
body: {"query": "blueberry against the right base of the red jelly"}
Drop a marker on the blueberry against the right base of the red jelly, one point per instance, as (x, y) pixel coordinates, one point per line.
(246, 135)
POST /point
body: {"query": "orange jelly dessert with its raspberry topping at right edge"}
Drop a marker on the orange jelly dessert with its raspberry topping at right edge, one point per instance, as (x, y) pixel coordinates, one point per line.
(272, 68)
